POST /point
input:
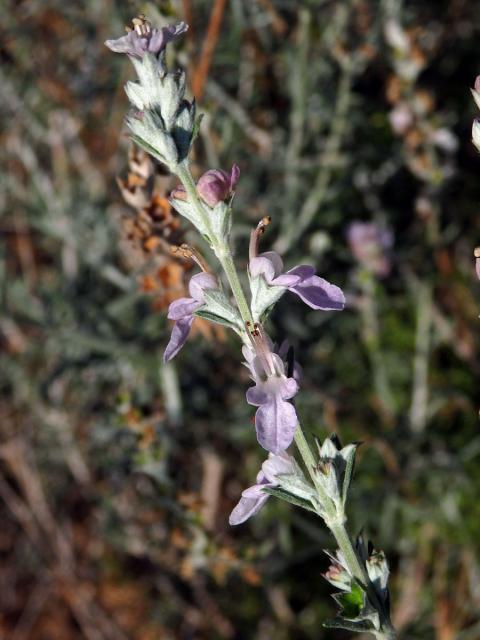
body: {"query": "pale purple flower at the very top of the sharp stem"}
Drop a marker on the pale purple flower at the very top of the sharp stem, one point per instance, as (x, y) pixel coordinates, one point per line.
(143, 39)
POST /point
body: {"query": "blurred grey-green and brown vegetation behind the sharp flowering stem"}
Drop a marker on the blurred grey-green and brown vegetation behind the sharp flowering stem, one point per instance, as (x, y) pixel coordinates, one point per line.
(117, 474)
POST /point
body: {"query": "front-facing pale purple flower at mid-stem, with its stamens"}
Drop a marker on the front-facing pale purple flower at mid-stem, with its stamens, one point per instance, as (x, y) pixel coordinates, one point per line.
(275, 419)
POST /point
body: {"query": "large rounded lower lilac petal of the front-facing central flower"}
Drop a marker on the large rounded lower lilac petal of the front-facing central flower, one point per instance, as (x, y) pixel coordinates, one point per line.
(275, 423)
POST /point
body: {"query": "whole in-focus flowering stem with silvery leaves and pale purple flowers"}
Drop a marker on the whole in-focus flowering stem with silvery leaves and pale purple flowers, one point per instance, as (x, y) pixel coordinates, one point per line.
(164, 123)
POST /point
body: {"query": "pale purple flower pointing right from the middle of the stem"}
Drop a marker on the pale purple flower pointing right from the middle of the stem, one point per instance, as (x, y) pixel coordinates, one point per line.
(316, 292)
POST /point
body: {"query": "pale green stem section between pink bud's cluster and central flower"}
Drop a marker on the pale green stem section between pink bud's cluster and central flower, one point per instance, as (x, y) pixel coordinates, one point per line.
(221, 249)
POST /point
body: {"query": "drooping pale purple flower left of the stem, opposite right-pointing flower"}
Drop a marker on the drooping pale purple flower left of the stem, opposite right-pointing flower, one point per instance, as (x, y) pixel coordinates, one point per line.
(182, 311)
